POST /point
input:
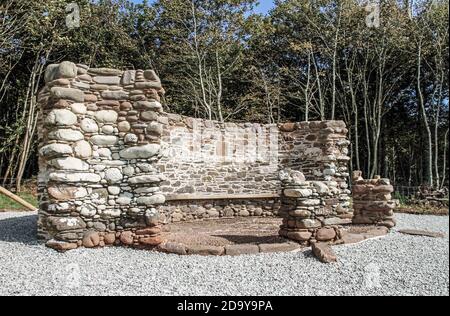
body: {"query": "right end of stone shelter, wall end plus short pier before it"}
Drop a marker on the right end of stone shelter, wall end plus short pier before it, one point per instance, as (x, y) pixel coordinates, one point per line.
(315, 201)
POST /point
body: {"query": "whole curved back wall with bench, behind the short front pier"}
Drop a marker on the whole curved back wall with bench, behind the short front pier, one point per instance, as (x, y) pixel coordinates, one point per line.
(208, 159)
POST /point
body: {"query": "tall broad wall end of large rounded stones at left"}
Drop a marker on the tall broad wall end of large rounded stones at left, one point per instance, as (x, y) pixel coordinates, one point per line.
(99, 138)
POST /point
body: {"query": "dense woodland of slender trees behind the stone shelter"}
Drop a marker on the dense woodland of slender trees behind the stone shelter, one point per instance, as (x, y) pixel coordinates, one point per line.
(304, 60)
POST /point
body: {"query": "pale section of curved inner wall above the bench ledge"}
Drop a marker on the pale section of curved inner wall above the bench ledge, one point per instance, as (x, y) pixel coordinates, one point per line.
(207, 157)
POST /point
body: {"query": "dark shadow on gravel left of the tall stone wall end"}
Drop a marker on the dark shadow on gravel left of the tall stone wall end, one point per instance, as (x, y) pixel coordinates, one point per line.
(21, 229)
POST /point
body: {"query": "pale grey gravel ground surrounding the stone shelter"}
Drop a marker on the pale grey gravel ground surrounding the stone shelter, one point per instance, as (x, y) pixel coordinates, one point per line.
(395, 265)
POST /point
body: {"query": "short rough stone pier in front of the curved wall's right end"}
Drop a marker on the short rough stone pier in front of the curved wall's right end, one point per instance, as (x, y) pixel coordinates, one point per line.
(306, 217)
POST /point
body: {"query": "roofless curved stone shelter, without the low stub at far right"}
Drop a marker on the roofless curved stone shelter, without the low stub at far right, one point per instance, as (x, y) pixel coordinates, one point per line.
(114, 166)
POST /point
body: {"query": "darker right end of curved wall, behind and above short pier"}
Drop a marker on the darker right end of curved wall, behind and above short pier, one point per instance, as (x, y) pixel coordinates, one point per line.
(320, 151)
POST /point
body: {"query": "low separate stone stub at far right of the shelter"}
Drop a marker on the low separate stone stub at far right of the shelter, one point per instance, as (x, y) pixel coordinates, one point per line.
(372, 201)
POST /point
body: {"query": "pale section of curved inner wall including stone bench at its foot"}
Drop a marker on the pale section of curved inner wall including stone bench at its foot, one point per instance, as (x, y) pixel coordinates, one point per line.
(208, 165)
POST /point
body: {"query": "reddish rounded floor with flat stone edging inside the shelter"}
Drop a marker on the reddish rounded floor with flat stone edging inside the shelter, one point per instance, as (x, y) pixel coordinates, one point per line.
(245, 236)
